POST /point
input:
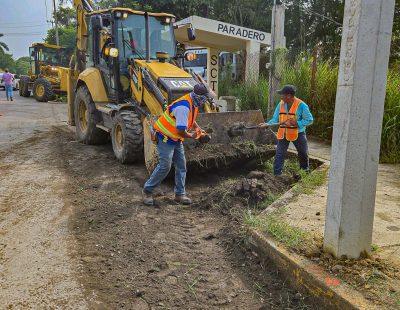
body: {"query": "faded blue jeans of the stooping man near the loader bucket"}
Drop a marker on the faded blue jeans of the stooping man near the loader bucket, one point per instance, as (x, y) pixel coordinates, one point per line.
(168, 154)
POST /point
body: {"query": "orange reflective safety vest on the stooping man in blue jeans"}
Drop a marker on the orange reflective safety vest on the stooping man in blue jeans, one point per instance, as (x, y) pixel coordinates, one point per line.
(166, 123)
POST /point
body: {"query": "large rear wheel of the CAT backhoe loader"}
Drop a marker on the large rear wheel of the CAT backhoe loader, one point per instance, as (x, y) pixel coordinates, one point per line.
(86, 118)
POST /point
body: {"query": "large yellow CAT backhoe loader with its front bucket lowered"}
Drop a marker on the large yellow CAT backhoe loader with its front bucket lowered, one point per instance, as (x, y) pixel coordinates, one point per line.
(126, 75)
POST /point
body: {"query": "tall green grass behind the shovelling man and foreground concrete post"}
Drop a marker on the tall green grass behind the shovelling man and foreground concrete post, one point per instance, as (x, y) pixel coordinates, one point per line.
(255, 96)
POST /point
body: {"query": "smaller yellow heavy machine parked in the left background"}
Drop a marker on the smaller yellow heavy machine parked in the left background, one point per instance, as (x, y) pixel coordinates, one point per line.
(47, 74)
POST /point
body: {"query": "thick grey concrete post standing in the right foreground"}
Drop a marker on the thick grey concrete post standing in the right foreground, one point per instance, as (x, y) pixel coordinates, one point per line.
(364, 55)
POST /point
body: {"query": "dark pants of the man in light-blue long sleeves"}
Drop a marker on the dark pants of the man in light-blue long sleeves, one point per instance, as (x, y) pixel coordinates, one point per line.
(302, 151)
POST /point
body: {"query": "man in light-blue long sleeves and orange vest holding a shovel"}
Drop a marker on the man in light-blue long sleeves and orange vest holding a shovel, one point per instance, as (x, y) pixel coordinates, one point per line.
(293, 116)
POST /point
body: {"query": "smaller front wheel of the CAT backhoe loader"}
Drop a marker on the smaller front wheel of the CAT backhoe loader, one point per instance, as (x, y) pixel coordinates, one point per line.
(127, 137)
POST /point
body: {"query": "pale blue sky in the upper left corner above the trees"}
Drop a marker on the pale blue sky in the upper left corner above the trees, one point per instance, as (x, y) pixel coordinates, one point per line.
(23, 22)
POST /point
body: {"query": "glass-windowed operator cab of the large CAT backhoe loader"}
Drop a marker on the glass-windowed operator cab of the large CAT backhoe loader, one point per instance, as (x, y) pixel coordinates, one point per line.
(118, 37)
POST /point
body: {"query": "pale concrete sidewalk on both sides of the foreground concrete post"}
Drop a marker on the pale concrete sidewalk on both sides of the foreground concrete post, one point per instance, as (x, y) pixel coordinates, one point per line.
(308, 211)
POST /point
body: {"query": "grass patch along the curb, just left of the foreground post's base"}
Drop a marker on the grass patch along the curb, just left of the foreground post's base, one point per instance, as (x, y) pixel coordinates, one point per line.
(275, 226)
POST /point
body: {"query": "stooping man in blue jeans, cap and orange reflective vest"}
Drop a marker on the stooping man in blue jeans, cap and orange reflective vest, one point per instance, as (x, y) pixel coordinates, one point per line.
(172, 127)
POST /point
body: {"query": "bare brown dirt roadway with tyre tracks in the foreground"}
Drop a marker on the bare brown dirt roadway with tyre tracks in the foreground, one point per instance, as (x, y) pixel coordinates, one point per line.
(106, 250)
